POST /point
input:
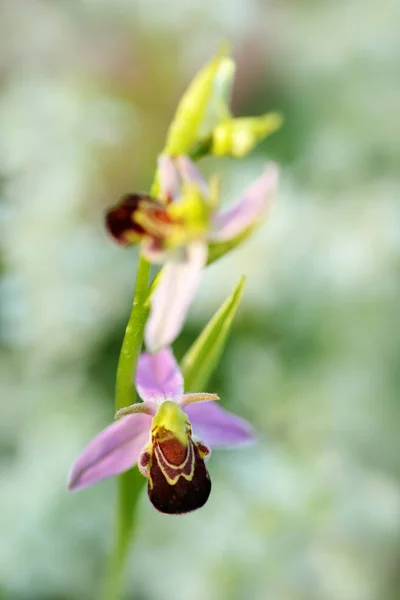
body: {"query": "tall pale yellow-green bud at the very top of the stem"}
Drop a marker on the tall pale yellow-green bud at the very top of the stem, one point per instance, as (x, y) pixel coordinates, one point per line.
(184, 129)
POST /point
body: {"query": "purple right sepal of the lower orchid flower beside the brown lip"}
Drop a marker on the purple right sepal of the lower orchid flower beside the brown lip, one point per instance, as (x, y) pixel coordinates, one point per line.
(217, 427)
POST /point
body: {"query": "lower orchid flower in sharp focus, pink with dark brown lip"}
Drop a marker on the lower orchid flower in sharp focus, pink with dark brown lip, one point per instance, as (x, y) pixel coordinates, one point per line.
(168, 435)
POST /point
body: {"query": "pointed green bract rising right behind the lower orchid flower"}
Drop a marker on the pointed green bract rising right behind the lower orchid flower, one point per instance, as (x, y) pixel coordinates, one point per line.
(203, 356)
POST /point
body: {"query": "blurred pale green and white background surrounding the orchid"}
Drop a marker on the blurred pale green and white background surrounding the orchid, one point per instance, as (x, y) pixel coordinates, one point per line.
(312, 512)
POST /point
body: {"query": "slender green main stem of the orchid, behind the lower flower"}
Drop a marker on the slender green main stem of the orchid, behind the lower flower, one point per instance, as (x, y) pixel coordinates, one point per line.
(130, 483)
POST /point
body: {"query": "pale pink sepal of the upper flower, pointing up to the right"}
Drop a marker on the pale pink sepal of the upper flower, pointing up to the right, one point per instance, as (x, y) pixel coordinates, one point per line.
(249, 209)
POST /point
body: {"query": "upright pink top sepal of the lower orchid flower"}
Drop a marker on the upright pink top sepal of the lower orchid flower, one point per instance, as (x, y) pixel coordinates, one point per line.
(158, 375)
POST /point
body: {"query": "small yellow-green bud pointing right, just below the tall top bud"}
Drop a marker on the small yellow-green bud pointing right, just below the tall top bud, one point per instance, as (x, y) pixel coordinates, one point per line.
(237, 137)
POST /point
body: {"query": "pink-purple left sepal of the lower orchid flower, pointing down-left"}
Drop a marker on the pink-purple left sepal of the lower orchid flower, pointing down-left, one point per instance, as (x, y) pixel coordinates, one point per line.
(112, 451)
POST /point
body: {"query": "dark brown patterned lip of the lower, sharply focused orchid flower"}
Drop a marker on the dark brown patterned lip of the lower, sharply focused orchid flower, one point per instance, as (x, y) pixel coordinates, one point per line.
(178, 479)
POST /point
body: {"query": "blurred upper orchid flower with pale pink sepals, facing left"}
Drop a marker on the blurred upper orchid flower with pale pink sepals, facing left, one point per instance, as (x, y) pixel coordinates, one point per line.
(176, 230)
